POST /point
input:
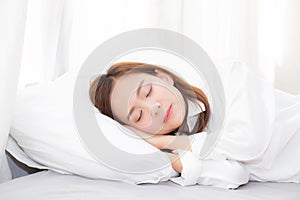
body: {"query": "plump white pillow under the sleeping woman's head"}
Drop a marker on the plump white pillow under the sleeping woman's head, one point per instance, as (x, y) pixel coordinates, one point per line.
(43, 126)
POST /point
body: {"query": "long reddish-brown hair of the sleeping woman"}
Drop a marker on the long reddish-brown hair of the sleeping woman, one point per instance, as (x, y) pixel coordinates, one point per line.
(101, 88)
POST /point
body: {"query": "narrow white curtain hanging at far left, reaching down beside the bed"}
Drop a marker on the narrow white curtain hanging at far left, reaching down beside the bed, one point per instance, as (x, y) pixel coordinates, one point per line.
(12, 24)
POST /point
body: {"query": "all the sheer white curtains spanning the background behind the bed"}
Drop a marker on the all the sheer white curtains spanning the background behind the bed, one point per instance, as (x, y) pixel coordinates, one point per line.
(59, 34)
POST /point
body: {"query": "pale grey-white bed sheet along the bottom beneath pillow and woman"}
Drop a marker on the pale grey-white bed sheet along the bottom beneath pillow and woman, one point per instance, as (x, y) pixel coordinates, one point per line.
(50, 185)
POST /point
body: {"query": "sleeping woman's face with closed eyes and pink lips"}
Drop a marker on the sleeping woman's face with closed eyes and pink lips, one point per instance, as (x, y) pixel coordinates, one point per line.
(148, 103)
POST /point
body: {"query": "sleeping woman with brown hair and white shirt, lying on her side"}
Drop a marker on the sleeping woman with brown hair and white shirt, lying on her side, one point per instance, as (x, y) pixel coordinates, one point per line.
(258, 141)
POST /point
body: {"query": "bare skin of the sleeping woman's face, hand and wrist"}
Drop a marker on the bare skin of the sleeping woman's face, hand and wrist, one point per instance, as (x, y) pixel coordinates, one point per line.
(151, 107)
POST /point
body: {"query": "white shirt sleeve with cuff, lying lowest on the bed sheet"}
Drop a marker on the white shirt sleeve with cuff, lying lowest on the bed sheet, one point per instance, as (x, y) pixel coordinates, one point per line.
(218, 173)
